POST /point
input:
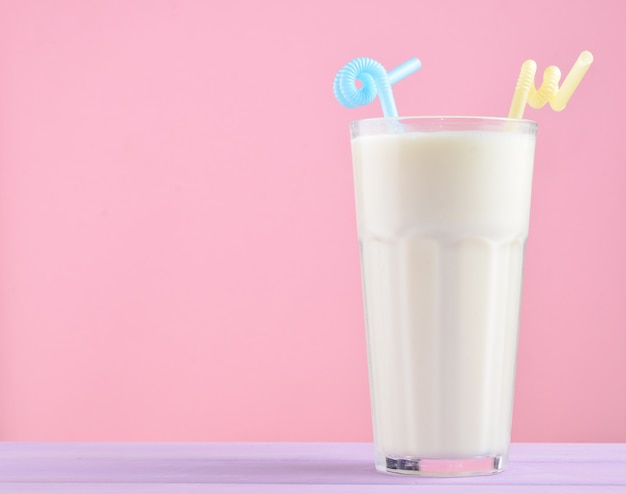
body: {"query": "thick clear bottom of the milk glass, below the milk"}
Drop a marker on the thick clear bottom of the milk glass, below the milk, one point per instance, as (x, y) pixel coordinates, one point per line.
(442, 467)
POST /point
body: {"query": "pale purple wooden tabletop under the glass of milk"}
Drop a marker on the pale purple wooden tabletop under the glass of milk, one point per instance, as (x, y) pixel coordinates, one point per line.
(246, 468)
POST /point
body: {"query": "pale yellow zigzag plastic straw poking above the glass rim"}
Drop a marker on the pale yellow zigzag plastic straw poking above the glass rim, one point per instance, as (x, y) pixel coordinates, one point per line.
(549, 91)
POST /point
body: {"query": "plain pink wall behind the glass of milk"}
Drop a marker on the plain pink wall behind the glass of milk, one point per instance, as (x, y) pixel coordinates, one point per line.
(178, 254)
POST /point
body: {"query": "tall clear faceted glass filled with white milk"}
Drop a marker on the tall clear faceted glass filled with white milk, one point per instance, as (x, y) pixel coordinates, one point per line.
(442, 206)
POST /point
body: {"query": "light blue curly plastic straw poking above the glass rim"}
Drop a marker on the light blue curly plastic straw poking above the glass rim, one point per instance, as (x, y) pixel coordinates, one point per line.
(375, 80)
